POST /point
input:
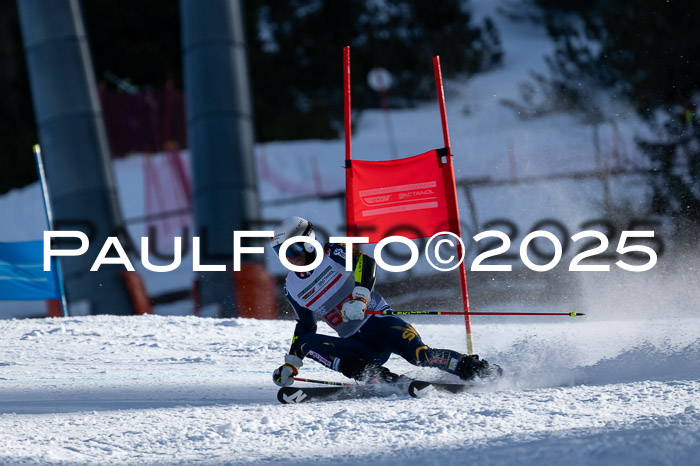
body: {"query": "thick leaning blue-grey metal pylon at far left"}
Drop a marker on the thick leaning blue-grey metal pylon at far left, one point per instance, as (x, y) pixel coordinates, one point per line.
(73, 139)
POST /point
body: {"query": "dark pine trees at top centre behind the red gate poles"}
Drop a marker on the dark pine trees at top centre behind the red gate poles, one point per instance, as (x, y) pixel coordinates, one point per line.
(296, 57)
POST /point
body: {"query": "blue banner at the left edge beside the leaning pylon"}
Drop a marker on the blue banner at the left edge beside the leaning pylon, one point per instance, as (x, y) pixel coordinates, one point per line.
(22, 275)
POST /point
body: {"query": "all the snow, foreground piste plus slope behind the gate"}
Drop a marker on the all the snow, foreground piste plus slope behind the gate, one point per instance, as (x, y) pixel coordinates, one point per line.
(618, 386)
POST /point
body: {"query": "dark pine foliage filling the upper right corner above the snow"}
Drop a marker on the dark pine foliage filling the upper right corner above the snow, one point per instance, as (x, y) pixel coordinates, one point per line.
(644, 52)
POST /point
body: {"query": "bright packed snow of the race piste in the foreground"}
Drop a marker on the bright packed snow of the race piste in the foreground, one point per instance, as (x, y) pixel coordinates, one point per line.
(184, 390)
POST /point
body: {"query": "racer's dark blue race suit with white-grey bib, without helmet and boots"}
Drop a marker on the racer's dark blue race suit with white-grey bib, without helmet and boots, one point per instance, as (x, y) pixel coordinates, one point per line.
(320, 294)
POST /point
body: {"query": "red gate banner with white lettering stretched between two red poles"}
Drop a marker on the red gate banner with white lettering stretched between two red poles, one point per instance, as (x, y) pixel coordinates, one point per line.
(412, 197)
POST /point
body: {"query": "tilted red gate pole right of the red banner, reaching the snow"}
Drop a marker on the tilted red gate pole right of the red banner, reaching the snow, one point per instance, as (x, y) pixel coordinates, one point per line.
(456, 226)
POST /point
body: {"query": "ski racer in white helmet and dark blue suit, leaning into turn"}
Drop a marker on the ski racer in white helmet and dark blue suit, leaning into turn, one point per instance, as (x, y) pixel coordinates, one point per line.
(340, 298)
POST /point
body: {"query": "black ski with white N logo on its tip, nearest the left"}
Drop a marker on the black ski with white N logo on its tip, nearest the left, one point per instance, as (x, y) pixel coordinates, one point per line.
(293, 395)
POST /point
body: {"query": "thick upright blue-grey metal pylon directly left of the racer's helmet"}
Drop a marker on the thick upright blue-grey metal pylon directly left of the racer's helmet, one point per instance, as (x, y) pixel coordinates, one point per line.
(221, 139)
